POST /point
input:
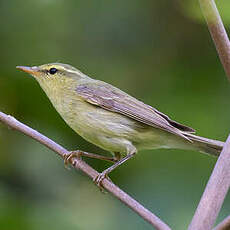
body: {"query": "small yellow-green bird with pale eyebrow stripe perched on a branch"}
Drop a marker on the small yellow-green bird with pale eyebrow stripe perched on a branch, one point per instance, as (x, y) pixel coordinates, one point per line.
(112, 119)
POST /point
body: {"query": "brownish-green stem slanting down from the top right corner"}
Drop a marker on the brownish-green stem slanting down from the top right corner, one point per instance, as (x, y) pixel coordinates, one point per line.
(218, 32)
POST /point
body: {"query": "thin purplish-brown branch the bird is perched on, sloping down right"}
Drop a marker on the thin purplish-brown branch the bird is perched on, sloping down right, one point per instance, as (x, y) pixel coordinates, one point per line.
(79, 164)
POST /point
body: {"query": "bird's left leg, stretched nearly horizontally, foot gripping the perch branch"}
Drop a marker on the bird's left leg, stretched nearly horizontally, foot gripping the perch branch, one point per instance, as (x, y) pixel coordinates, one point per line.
(68, 157)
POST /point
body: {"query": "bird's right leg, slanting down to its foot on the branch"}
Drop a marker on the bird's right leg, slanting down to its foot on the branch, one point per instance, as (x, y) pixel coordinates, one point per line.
(104, 174)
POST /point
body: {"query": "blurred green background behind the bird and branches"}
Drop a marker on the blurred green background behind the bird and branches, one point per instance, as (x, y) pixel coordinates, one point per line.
(158, 51)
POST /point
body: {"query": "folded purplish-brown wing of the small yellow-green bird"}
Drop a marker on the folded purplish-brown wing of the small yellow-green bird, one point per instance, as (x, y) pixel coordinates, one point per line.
(111, 98)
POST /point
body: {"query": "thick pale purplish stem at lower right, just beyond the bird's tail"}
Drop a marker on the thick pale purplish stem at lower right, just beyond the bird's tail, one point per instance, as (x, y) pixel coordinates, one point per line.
(214, 194)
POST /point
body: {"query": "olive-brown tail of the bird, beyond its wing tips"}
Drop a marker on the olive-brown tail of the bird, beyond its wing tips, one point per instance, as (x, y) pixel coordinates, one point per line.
(206, 145)
